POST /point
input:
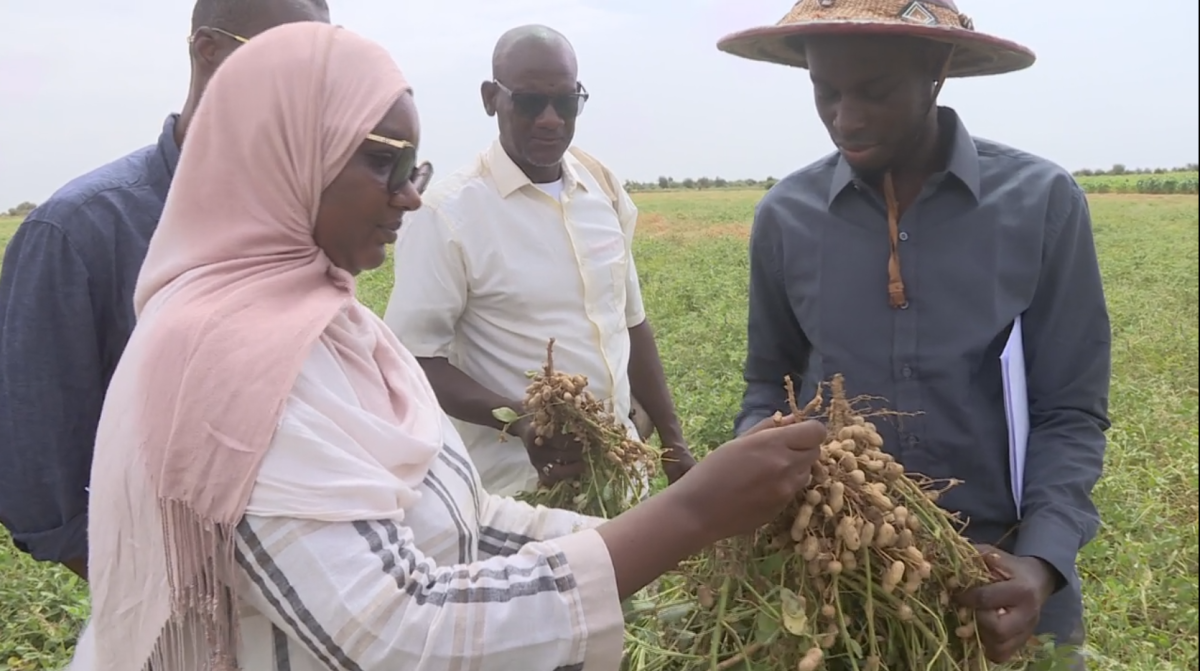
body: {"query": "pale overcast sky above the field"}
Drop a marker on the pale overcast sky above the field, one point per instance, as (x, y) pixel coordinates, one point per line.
(83, 82)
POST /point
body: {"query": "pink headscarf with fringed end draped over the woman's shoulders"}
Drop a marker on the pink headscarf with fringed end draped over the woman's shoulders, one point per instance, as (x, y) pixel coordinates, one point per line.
(233, 296)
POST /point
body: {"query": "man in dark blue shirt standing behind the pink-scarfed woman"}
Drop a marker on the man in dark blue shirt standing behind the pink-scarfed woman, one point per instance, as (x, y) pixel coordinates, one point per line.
(67, 302)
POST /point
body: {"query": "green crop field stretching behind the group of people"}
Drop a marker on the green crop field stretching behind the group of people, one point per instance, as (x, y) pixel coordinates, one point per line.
(1141, 574)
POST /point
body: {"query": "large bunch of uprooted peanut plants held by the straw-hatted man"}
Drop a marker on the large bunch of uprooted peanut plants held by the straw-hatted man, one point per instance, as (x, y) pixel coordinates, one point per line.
(857, 574)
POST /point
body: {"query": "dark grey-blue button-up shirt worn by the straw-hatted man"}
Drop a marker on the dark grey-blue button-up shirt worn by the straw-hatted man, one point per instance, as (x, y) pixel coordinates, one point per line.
(999, 235)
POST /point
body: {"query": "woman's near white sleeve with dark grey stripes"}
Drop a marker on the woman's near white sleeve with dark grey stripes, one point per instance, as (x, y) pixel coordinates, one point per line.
(363, 596)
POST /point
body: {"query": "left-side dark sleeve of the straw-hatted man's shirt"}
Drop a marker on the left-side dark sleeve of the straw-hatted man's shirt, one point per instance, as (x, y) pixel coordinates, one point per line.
(776, 345)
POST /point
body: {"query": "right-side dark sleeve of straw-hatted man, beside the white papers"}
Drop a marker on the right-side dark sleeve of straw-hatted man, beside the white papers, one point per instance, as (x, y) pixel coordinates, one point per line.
(1069, 361)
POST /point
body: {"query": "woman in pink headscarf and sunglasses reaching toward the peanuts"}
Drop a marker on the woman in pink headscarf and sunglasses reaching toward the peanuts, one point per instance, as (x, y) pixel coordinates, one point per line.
(275, 487)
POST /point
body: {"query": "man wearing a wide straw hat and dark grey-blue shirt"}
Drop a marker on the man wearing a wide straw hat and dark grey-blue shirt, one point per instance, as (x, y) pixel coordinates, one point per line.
(910, 261)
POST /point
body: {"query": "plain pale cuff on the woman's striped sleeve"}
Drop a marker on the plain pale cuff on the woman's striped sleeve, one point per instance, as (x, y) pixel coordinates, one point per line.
(597, 584)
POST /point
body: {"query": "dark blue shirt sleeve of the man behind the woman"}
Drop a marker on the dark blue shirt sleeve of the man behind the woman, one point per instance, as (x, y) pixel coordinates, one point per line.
(51, 393)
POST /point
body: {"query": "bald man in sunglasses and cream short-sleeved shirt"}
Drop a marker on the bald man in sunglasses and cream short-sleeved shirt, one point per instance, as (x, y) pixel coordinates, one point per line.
(530, 243)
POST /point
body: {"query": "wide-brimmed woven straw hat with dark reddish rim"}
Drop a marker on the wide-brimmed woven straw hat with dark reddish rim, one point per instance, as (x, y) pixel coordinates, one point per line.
(975, 55)
